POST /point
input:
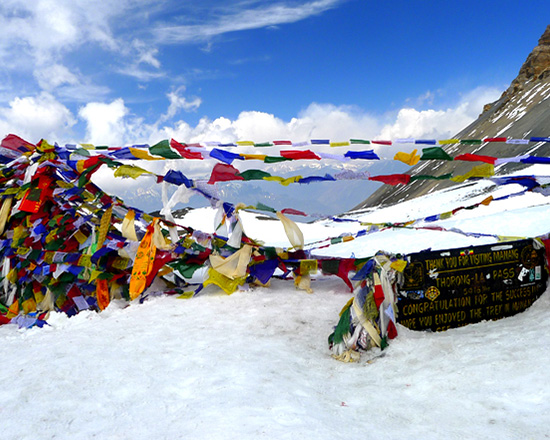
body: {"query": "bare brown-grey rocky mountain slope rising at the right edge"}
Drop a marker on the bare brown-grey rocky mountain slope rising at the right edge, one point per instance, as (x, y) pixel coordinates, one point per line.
(523, 111)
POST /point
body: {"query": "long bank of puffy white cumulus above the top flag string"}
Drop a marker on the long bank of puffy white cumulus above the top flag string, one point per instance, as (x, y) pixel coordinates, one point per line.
(108, 122)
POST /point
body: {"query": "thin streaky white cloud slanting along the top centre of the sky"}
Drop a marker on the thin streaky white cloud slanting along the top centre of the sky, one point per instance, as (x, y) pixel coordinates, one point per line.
(244, 19)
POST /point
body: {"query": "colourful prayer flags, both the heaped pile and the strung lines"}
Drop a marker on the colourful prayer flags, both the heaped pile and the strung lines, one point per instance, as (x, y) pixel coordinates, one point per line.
(71, 247)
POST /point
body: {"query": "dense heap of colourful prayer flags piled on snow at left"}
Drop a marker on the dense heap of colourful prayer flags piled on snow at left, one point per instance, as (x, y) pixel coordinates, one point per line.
(67, 246)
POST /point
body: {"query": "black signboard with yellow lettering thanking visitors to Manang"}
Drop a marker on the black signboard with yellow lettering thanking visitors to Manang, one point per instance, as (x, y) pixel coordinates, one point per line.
(452, 288)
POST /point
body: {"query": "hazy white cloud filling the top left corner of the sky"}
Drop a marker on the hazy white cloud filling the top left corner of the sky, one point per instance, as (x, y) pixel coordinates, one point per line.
(39, 35)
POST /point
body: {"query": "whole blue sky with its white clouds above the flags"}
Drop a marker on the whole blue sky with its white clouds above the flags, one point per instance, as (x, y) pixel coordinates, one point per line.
(140, 71)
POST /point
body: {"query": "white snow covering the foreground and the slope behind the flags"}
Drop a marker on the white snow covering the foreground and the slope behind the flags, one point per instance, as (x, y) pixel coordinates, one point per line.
(255, 365)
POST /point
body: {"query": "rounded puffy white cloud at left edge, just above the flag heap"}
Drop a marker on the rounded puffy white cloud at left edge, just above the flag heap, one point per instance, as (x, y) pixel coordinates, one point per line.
(36, 117)
